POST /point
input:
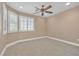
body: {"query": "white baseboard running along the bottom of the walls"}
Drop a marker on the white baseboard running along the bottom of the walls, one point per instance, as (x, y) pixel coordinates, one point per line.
(24, 40)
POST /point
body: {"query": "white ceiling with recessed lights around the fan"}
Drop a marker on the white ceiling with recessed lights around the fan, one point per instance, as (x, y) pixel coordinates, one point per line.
(29, 7)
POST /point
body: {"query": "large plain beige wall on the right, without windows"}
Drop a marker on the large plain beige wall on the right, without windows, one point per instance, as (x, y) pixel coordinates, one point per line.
(65, 25)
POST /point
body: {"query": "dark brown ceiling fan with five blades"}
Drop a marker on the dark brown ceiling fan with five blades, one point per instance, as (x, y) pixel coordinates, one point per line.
(43, 10)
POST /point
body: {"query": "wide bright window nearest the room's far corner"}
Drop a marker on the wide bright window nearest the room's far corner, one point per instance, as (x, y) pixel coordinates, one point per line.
(26, 23)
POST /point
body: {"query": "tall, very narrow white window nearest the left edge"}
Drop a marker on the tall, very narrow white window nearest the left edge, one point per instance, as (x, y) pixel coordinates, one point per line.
(4, 19)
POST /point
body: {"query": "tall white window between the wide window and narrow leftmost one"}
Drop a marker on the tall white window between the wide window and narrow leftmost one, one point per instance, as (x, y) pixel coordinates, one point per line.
(12, 22)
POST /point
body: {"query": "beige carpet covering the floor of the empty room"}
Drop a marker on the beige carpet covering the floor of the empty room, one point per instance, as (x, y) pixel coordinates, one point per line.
(42, 47)
